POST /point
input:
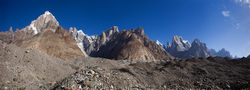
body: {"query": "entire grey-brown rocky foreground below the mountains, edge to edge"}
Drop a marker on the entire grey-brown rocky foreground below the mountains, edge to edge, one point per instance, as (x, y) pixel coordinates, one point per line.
(34, 70)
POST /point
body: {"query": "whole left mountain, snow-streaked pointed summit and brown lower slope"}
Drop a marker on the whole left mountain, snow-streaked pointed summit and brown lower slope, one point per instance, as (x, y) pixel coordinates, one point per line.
(45, 34)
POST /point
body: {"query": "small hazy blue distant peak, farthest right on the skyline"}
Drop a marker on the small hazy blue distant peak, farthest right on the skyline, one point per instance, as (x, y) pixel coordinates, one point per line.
(222, 53)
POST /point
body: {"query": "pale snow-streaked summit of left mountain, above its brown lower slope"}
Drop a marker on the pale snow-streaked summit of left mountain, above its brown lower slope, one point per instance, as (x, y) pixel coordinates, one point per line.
(43, 22)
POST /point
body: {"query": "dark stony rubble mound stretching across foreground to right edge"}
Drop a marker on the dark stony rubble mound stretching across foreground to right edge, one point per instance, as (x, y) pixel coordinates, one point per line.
(195, 73)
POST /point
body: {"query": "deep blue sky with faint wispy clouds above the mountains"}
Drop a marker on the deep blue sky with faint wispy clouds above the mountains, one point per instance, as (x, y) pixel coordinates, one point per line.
(218, 23)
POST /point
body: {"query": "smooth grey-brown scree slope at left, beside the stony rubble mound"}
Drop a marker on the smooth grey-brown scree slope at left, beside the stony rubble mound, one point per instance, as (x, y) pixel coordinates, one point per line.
(25, 69)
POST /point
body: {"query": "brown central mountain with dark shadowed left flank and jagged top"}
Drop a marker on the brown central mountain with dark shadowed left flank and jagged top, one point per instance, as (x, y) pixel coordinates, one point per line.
(132, 45)
